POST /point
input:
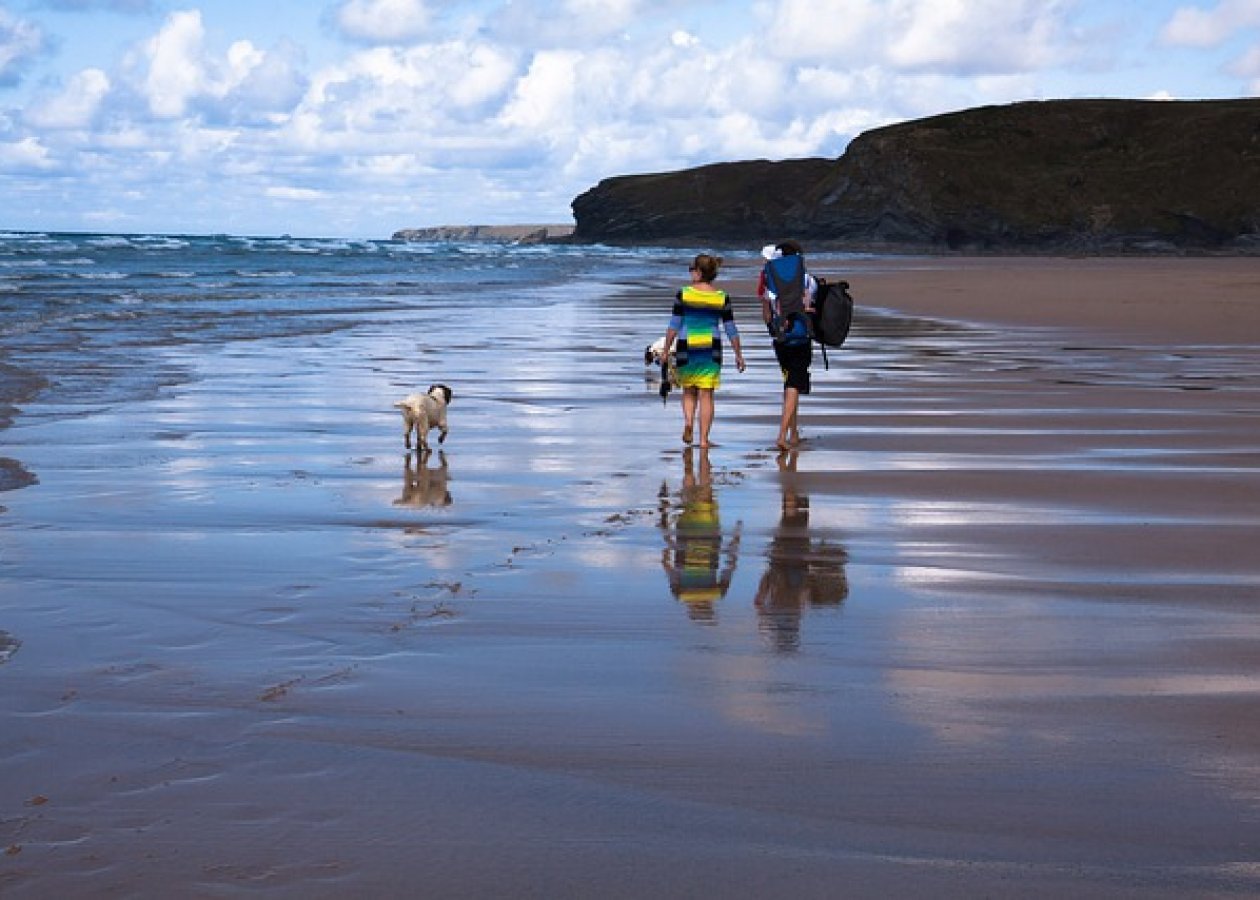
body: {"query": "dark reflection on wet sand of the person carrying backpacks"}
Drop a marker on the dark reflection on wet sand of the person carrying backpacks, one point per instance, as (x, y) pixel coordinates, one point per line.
(801, 573)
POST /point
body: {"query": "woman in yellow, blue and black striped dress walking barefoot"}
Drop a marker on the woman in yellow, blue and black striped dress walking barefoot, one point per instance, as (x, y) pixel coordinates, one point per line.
(702, 313)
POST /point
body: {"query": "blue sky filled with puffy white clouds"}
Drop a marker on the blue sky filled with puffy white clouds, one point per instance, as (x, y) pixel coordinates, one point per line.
(358, 118)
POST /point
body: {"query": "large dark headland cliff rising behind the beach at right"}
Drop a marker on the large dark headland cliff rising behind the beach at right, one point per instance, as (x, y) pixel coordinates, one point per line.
(1102, 176)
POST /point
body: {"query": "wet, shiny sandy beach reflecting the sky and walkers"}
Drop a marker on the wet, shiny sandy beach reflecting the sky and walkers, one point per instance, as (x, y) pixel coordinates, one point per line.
(991, 633)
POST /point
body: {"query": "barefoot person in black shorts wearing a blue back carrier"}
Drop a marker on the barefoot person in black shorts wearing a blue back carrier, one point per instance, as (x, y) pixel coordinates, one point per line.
(787, 293)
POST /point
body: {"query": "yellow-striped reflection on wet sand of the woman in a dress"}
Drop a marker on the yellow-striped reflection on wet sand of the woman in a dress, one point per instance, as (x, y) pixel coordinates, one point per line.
(697, 564)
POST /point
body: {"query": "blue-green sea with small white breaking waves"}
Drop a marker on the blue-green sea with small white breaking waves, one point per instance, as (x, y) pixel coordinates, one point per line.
(96, 314)
